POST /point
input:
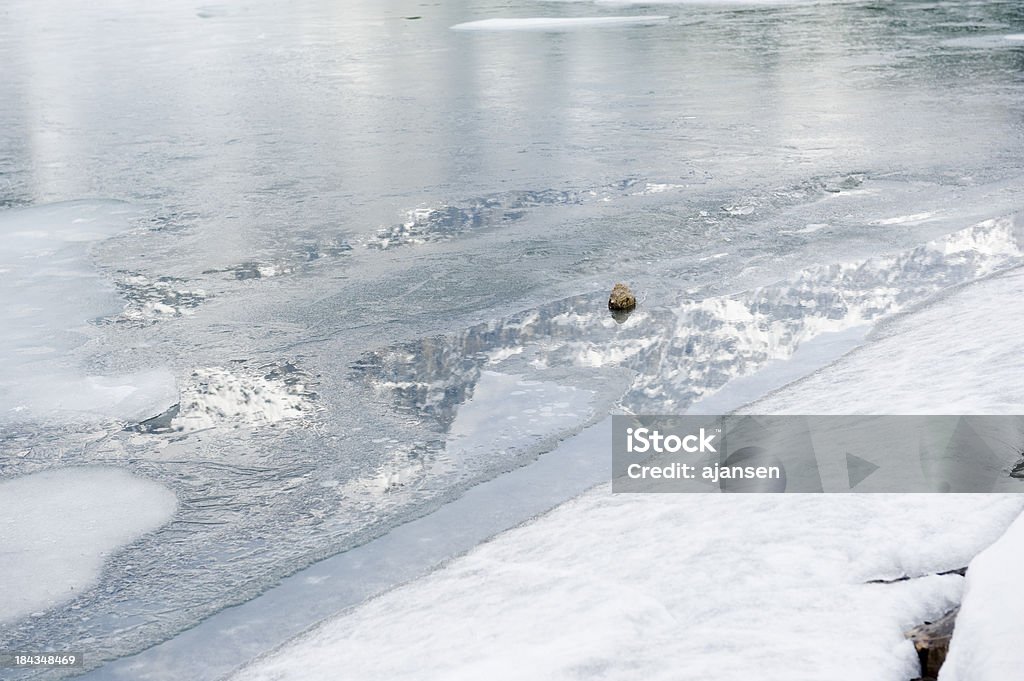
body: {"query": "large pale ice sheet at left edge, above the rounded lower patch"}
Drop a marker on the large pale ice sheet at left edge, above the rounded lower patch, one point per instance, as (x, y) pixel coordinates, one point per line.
(50, 292)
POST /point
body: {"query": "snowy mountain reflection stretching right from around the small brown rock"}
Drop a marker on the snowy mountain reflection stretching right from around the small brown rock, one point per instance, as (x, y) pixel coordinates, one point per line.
(685, 353)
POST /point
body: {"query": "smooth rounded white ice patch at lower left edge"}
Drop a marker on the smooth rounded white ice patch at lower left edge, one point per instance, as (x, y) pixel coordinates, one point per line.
(59, 527)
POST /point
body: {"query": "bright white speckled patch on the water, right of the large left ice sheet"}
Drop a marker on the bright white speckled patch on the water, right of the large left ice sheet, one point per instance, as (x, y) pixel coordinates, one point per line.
(218, 398)
